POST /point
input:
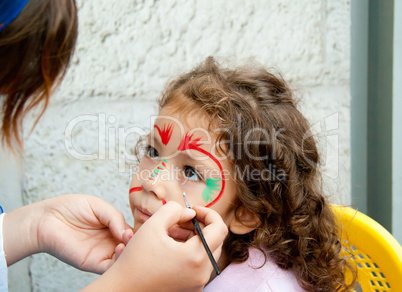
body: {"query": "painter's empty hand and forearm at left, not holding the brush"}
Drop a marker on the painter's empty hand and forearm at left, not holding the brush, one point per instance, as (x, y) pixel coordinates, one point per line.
(68, 227)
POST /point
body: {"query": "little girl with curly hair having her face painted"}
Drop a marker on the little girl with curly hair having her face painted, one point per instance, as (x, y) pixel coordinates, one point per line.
(234, 141)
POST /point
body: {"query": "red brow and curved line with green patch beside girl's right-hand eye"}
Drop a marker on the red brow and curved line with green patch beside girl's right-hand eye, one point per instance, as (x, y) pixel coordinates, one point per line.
(188, 143)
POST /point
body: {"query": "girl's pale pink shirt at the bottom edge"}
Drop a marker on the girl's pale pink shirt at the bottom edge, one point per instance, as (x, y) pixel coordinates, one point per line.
(247, 277)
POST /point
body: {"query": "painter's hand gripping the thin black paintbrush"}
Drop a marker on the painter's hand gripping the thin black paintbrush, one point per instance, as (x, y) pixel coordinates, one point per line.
(153, 261)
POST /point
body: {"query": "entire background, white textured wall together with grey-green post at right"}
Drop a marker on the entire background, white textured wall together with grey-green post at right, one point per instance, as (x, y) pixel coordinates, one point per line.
(343, 59)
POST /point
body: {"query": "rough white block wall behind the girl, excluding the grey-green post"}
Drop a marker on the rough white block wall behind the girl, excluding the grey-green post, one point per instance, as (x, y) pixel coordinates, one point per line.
(126, 52)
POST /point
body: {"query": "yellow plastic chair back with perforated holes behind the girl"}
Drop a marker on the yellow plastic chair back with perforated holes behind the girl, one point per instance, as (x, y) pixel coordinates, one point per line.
(378, 255)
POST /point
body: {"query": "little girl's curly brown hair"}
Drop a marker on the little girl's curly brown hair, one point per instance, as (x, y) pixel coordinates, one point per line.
(297, 226)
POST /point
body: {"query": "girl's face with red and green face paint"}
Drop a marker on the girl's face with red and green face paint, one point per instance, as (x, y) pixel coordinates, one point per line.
(181, 156)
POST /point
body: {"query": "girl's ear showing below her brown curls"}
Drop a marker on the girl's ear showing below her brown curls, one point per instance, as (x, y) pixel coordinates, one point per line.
(245, 221)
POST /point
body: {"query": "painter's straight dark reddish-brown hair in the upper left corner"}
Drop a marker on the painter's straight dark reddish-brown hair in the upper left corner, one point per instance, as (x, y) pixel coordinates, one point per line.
(35, 49)
